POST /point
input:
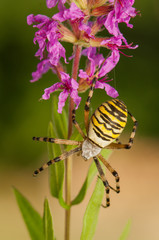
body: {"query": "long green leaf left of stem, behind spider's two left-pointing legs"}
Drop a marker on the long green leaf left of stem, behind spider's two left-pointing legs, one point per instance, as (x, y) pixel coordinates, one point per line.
(57, 129)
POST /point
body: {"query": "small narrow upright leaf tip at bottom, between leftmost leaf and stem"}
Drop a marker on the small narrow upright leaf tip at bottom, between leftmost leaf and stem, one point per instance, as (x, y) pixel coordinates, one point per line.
(47, 222)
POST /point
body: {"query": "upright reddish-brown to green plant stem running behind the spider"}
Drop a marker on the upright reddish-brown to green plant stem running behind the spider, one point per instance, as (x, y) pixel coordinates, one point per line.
(69, 161)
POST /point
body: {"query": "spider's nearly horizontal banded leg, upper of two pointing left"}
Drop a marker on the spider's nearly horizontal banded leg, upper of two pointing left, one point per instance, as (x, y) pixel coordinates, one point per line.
(57, 141)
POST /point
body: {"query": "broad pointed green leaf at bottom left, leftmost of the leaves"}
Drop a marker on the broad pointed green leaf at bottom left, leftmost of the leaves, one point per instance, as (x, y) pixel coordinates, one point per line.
(31, 217)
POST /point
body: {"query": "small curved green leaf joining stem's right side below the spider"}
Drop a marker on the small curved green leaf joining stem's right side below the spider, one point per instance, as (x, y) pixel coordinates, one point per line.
(91, 173)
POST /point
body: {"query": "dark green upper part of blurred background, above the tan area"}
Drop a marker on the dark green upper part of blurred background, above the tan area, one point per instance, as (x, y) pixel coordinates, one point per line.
(23, 116)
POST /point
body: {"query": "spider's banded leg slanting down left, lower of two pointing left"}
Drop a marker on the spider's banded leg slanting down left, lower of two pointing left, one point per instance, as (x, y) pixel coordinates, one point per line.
(57, 159)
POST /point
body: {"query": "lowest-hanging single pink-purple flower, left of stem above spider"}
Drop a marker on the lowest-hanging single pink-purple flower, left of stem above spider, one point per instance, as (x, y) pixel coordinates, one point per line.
(69, 86)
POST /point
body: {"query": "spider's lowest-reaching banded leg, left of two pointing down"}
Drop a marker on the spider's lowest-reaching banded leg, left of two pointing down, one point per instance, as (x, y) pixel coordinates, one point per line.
(105, 182)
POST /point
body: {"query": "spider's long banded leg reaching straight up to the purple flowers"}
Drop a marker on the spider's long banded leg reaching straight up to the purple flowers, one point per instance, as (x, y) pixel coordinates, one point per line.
(87, 104)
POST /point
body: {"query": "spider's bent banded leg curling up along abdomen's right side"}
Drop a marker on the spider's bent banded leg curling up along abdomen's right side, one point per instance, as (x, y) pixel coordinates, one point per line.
(131, 139)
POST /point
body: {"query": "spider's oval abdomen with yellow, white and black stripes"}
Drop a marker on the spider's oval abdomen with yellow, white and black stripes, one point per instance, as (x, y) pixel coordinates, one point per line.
(107, 122)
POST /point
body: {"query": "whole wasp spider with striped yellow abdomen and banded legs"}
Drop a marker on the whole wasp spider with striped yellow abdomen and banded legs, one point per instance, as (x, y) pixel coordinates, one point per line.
(103, 128)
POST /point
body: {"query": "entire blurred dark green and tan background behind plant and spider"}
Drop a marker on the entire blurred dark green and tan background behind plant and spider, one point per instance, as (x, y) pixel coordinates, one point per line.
(24, 116)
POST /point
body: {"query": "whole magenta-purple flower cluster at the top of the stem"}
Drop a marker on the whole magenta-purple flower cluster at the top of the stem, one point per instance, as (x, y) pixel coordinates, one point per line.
(80, 24)
